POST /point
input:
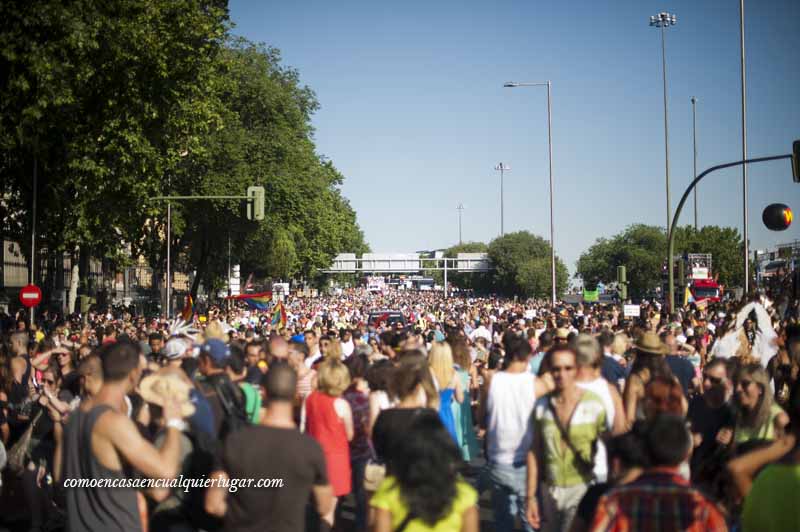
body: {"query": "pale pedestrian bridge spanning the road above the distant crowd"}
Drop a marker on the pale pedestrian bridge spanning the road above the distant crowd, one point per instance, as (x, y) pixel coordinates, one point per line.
(409, 263)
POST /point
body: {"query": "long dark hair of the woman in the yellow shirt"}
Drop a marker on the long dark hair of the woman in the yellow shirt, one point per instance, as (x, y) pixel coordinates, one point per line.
(426, 467)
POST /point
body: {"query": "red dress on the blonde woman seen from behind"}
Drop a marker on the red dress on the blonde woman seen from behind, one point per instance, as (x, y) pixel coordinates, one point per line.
(325, 426)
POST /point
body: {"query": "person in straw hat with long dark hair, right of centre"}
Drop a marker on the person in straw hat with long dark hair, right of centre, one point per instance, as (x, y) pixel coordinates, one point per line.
(649, 362)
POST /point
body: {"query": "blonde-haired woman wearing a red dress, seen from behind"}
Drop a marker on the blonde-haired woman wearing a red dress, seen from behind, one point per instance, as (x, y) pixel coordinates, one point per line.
(329, 420)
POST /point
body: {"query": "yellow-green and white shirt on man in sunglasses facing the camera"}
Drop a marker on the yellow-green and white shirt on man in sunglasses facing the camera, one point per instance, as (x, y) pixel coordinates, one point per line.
(588, 421)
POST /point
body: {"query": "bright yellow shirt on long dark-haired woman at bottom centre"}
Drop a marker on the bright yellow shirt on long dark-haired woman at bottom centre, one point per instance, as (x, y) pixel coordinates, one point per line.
(388, 498)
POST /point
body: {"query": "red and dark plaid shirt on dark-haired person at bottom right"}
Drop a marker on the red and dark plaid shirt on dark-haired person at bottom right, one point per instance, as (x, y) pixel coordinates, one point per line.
(658, 500)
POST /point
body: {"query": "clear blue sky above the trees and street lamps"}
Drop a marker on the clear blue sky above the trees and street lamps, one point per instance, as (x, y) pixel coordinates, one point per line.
(414, 115)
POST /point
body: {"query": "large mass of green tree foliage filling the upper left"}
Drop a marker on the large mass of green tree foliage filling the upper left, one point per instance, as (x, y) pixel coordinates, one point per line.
(120, 102)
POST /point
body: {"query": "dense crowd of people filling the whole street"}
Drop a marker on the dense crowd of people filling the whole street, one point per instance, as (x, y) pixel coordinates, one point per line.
(568, 418)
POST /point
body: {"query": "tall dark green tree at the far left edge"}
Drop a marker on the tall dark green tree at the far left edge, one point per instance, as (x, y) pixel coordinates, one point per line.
(101, 98)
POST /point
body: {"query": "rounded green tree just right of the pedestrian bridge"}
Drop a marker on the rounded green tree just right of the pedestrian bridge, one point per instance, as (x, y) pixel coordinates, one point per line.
(521, 264)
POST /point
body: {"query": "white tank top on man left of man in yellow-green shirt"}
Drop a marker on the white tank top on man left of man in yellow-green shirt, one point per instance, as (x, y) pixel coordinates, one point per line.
(509, 406)
